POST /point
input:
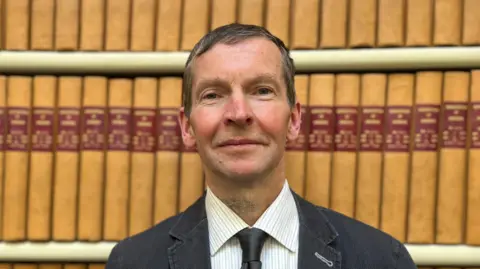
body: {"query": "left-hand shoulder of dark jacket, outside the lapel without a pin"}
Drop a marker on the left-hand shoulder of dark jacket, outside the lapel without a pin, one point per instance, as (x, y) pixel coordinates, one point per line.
(147, 249)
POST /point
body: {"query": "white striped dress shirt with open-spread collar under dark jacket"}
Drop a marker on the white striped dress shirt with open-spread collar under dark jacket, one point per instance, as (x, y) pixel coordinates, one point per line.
(280, 221)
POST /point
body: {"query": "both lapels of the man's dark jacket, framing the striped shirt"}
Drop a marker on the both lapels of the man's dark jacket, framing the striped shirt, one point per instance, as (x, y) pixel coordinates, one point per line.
(191, 250)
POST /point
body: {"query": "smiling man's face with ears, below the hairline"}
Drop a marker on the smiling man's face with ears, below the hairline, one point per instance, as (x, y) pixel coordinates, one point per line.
(240, 117)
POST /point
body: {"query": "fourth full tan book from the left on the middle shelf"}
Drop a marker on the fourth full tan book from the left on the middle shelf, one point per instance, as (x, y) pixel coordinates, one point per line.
(92, 163)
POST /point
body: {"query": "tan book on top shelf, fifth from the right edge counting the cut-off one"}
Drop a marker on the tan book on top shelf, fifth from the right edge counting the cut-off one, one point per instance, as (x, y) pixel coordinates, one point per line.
(362, 23)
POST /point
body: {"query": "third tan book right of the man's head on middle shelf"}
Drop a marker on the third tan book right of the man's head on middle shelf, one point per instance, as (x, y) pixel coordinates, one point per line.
(347, 92)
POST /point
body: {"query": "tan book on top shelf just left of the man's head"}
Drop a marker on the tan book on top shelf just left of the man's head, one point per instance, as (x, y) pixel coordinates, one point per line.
(168, 25)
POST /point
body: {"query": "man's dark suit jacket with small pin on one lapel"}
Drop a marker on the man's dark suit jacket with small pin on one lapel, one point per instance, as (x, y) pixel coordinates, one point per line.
(327, 240)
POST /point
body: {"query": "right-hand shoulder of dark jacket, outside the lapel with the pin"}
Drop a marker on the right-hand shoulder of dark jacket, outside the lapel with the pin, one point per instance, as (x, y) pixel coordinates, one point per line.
(367, 246)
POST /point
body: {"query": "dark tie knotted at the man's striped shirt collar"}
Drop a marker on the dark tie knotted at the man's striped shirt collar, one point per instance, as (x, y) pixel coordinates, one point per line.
(251, 240)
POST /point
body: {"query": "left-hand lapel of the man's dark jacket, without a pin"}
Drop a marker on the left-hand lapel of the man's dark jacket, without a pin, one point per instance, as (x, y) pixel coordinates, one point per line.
(191, 249)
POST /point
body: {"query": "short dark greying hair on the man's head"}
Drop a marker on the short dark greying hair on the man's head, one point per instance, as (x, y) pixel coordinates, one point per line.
(232, 34)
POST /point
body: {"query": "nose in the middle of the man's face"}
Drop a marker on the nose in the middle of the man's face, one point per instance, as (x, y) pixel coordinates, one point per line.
(238, 111)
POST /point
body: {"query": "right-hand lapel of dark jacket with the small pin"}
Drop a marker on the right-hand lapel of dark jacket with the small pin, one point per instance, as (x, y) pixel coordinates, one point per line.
(316, 235)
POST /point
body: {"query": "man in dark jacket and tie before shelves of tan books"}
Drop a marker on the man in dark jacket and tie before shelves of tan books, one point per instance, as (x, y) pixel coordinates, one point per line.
(239, 111)
